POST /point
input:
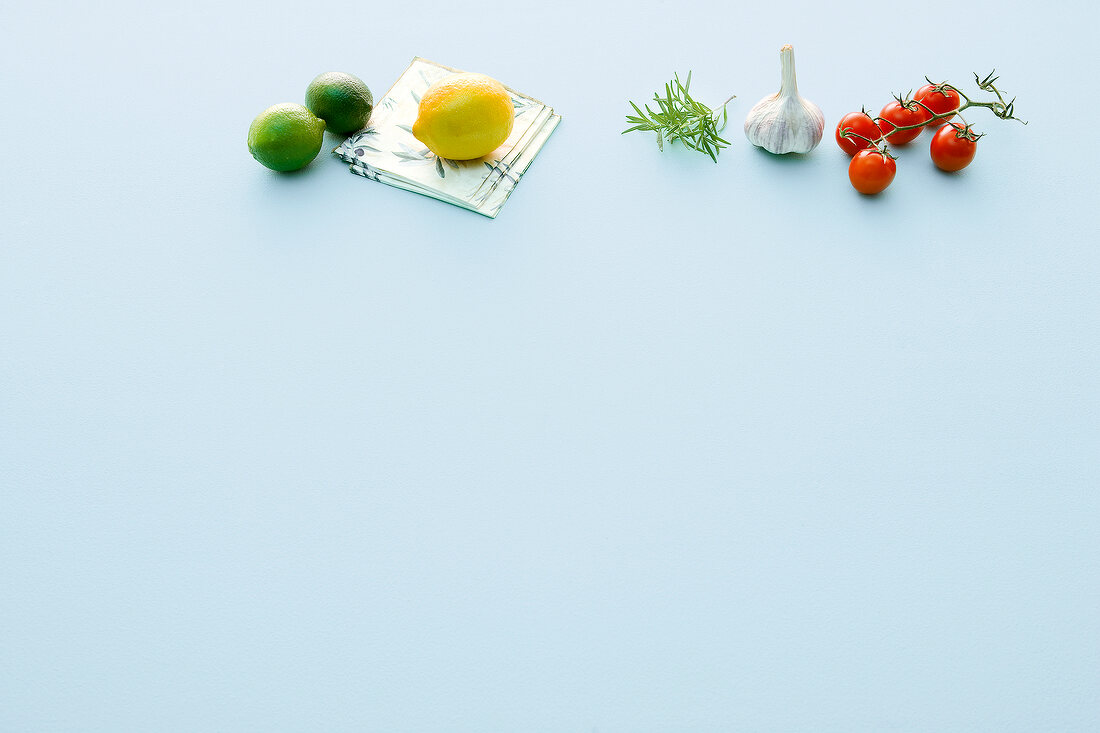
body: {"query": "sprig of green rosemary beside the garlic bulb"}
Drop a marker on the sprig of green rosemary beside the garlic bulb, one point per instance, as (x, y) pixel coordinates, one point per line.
(679, 117)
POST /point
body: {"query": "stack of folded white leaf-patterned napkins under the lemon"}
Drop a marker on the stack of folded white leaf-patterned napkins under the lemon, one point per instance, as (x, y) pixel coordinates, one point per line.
(388, 152)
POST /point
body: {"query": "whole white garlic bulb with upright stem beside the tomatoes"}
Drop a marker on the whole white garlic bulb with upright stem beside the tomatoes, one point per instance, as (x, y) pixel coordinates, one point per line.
(786, 123)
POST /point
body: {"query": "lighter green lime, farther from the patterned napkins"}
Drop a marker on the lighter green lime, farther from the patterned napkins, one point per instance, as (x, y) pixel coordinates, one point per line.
(287, 137)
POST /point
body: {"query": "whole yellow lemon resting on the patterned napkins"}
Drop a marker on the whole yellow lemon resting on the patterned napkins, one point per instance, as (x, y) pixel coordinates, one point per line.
(465, 117)
